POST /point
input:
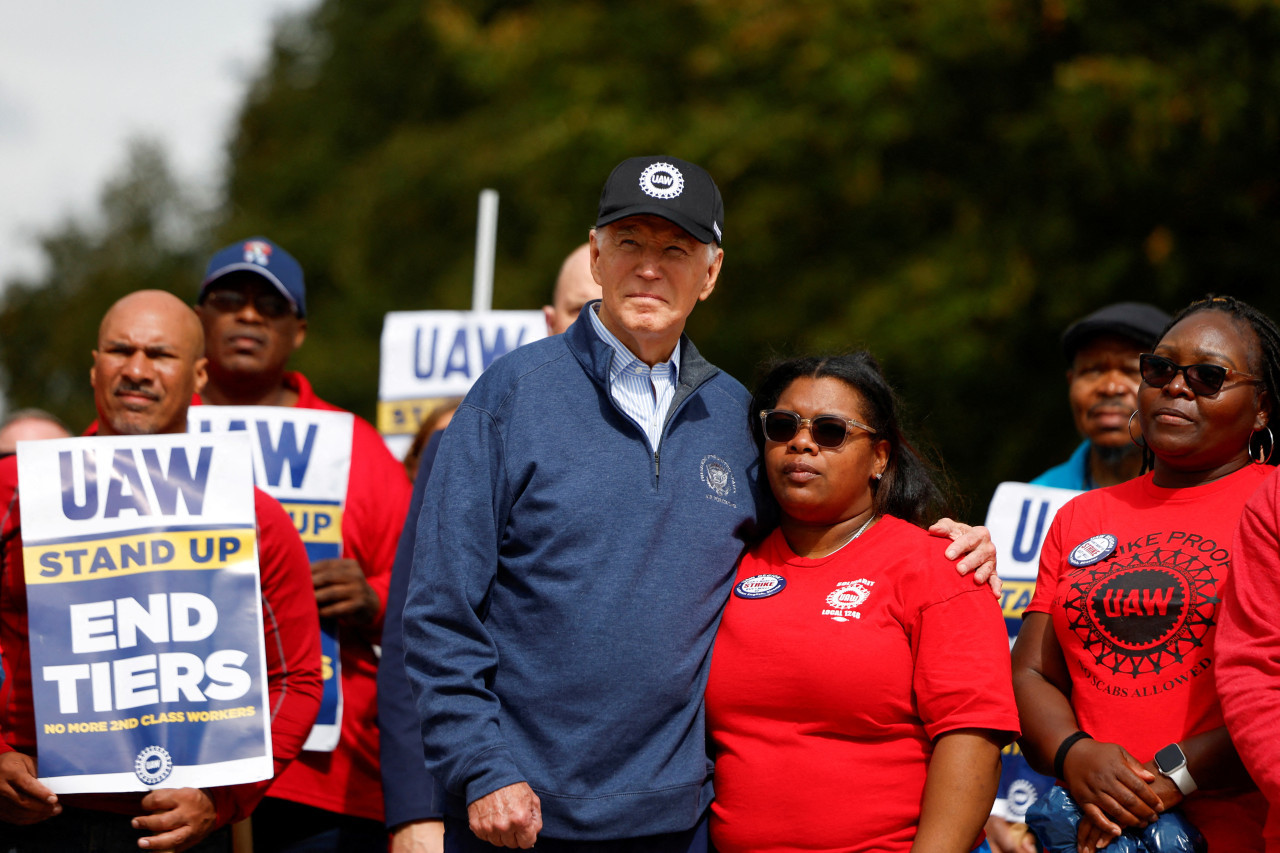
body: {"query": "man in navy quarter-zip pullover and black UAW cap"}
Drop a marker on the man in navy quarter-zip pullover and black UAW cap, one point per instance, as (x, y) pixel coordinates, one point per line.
(578, 541)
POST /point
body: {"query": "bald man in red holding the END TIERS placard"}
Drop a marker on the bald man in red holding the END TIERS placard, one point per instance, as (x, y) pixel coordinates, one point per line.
(148, 364)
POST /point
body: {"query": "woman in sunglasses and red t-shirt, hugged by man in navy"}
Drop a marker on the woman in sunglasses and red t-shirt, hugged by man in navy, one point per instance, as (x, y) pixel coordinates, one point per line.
(860, 691)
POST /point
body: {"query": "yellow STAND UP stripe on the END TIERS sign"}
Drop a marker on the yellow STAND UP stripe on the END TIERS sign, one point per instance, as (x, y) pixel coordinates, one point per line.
(136, 554)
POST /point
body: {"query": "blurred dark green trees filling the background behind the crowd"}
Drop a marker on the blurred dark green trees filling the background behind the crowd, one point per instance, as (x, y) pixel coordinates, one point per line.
(949, 184)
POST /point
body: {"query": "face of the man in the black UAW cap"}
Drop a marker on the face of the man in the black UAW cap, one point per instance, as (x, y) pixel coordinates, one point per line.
(652, 275)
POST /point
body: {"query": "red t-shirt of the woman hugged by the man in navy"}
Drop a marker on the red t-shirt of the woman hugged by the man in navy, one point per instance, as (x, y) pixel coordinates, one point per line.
(825, 699)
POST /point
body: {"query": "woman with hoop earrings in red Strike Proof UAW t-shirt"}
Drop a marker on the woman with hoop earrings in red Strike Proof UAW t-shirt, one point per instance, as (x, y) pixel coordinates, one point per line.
(1116, 664)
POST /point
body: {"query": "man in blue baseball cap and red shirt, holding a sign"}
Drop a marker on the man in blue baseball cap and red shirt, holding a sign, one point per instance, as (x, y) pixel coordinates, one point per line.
(253, 307)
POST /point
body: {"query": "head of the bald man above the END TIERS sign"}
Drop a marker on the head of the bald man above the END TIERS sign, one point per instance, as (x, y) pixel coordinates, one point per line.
(148, 364)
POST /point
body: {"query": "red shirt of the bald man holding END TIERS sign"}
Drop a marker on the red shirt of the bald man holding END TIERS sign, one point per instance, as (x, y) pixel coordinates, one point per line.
(291, 633)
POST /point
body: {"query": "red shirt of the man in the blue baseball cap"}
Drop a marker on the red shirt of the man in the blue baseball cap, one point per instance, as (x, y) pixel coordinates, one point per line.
(348, 781)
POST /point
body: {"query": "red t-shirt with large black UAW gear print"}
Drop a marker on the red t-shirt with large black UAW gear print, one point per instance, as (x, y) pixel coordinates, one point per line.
(1139, 627)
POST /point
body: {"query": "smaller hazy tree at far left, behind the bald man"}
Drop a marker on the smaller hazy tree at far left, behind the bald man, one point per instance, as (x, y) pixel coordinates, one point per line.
(148, 235)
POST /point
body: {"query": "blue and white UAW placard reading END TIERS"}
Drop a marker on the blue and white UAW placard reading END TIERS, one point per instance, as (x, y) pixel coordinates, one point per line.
(144, 599)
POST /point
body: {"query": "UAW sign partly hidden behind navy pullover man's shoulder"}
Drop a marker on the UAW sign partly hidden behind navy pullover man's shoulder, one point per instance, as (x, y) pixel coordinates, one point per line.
(428, 357)
